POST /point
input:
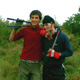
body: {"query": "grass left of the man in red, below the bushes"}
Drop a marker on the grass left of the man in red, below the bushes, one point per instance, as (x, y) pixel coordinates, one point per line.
(9, 60)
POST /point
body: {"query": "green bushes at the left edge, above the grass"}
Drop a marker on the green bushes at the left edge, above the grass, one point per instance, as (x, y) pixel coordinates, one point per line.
(4, 32)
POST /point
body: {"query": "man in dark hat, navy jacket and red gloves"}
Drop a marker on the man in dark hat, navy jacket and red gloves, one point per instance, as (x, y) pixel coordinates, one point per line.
(56, 47)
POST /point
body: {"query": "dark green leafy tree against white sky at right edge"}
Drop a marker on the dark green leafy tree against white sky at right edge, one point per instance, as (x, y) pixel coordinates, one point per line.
(72, 25)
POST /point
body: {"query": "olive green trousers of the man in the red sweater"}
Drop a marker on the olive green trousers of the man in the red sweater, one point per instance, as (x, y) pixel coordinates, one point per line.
(29, 71)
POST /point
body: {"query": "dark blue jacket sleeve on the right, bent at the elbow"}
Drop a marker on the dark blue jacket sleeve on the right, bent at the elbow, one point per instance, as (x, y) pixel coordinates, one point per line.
(67, 49)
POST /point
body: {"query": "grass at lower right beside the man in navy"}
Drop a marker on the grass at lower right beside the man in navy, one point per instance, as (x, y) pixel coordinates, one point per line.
(72, 65)
